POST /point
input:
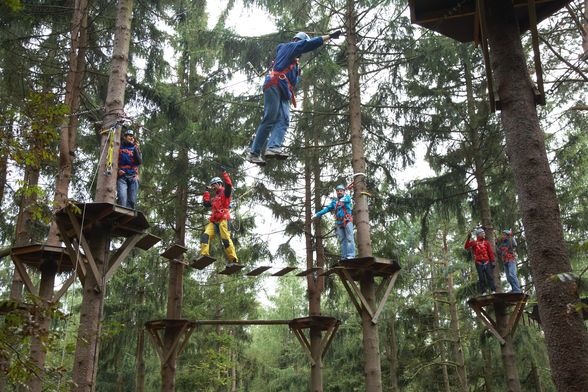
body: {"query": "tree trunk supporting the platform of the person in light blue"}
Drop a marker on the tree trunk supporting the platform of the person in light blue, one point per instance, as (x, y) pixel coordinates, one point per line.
(371, 339)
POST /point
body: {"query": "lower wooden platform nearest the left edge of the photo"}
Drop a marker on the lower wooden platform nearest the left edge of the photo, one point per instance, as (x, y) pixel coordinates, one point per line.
(36, 255)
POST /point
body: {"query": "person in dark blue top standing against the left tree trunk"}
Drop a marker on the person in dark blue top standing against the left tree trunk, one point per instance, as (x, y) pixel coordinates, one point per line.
(129, 159)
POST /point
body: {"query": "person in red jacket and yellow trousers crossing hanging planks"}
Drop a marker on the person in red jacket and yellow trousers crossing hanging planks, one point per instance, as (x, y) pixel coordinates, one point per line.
(219, 202)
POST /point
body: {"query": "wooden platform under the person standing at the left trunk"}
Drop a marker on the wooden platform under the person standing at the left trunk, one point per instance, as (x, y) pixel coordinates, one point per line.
(124, 222)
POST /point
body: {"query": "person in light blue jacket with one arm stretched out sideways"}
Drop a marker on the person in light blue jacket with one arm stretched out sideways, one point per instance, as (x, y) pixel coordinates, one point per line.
(343, 221)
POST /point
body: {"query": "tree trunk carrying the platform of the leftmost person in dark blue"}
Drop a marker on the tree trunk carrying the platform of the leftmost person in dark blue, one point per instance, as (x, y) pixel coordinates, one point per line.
(87, 345)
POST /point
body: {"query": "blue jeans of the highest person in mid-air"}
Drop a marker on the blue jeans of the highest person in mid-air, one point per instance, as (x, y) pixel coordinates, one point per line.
(276, 118)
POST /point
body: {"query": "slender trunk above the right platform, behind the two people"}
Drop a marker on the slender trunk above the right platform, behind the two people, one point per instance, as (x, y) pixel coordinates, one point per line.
(477, 120)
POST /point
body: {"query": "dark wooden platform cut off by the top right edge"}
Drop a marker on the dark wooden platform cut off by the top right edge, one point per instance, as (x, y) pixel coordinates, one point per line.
(457, 18)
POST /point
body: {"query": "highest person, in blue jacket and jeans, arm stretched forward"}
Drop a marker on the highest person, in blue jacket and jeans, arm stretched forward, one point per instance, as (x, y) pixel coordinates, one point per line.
(278, 91)
